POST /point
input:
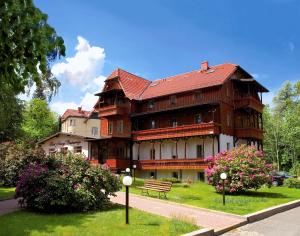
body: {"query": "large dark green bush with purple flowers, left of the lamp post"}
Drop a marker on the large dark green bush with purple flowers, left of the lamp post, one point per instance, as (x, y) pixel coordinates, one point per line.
(65, 183)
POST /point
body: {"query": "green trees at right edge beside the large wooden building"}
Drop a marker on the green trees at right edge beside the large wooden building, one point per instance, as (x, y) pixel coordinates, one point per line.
(282, 127)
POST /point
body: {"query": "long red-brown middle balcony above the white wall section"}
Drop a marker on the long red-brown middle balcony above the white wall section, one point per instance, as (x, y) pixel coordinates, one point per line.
(177, 132)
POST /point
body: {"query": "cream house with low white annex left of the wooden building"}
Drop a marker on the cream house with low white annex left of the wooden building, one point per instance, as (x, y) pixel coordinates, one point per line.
(77, 128)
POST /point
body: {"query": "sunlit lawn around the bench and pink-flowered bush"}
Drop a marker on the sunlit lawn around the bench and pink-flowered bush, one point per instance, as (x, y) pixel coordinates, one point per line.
(203, 195)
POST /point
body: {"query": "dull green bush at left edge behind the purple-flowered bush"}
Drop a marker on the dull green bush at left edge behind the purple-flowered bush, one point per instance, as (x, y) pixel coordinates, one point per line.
(14, 157)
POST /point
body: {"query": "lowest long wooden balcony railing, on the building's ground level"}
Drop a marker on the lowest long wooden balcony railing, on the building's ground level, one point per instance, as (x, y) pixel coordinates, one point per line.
(171, 164)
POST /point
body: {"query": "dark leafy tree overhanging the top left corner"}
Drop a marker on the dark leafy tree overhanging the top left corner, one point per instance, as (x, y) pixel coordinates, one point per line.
(28, 47)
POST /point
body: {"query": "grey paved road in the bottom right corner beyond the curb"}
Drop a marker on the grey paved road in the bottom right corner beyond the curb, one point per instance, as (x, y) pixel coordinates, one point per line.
(286, 223)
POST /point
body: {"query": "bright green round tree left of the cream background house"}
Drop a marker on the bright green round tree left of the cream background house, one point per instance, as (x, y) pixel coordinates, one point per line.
(39, 121)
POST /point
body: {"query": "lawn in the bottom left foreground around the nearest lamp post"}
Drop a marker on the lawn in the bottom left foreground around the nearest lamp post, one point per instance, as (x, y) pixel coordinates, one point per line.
(109, 222)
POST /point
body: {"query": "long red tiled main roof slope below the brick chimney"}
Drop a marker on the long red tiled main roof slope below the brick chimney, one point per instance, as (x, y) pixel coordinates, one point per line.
(215, 75)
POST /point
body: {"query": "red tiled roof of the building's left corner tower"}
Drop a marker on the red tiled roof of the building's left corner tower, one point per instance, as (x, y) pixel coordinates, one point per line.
(131, 84)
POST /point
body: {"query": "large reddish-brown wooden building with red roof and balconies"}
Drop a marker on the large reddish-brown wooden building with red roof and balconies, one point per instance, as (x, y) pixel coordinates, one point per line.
(168, 126)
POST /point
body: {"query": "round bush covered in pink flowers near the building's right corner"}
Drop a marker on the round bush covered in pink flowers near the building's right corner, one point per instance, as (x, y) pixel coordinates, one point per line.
(246, 168)
